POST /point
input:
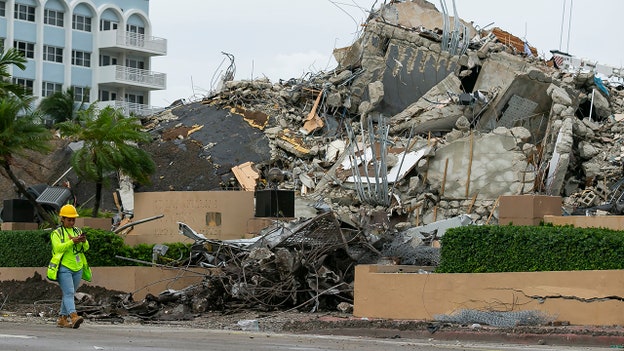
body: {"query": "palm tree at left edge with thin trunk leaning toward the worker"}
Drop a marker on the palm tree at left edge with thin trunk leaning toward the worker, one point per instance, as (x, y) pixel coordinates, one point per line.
(20, 132)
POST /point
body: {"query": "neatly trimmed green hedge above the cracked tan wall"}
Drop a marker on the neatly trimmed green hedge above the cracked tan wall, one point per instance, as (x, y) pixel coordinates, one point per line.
(480, 249)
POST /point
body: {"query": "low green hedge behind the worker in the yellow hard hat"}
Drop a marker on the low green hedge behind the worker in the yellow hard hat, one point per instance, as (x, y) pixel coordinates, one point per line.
(31, 248)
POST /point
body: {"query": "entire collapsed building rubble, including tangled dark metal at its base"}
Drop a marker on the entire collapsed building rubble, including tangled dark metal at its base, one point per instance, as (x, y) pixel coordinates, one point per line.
(416, 126)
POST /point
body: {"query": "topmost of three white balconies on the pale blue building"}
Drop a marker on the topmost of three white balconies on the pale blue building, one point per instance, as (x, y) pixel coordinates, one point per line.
(125, 41)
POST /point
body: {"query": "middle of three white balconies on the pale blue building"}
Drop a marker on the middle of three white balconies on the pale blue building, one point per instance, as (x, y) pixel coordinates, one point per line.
(127, 76)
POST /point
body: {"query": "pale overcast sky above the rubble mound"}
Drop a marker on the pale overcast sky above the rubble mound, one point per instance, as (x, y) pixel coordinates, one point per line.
(283, 39)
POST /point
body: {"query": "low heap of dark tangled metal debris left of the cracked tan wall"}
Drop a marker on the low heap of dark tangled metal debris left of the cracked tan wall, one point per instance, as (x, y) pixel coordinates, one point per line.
(306, 264)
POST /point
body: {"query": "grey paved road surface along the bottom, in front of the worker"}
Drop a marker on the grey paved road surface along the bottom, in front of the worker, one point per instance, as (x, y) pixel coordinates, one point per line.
(46, 337)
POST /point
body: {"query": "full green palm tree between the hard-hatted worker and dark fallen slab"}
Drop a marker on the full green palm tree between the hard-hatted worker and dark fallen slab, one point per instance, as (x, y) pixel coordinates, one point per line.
(110, 145)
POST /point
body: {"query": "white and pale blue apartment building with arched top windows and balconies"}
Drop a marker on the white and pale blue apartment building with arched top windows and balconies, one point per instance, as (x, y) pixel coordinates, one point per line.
(102, 49)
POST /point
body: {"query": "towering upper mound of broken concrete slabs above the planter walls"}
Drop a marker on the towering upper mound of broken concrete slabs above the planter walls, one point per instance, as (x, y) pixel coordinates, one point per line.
(494, 120)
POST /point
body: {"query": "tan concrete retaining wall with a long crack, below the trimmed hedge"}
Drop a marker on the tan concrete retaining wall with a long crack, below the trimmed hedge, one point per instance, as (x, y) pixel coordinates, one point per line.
(577, 297)
